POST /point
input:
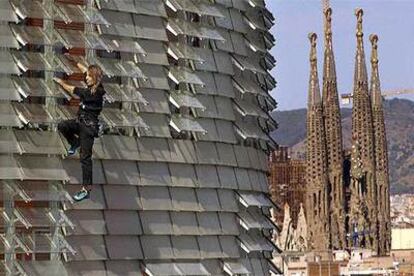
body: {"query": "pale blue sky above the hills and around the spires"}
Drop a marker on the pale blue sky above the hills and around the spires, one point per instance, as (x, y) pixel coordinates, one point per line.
(391, 20)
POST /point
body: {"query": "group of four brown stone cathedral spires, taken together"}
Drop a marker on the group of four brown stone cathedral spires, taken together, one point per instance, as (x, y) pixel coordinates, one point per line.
(347, 195)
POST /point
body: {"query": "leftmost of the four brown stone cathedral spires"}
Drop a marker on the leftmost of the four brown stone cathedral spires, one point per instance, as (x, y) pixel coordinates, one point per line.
(316, 174)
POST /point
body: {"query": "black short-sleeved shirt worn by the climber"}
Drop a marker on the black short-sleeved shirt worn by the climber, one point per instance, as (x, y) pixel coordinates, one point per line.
(91, 104)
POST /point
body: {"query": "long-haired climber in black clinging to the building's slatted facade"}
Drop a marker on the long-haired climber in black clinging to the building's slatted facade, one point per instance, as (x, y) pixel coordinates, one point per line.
(82, 131)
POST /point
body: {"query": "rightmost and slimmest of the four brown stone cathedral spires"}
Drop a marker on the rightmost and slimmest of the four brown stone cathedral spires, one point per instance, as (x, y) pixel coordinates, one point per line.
(381, 156)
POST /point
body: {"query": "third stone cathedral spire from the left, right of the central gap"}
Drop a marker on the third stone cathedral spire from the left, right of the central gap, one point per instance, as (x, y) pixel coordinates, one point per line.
(363, 184)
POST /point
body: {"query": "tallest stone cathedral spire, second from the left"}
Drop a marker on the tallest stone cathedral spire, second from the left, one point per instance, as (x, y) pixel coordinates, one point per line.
(333, 131)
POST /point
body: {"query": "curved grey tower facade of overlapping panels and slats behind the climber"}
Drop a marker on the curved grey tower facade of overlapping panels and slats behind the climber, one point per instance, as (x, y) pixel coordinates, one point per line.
(180, 175)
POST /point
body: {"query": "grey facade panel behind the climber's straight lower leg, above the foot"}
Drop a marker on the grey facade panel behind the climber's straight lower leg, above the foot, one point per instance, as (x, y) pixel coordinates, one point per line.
(73, 169)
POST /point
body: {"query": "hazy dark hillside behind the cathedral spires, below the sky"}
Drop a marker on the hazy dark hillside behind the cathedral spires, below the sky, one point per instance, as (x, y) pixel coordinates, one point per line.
(399, 120)
